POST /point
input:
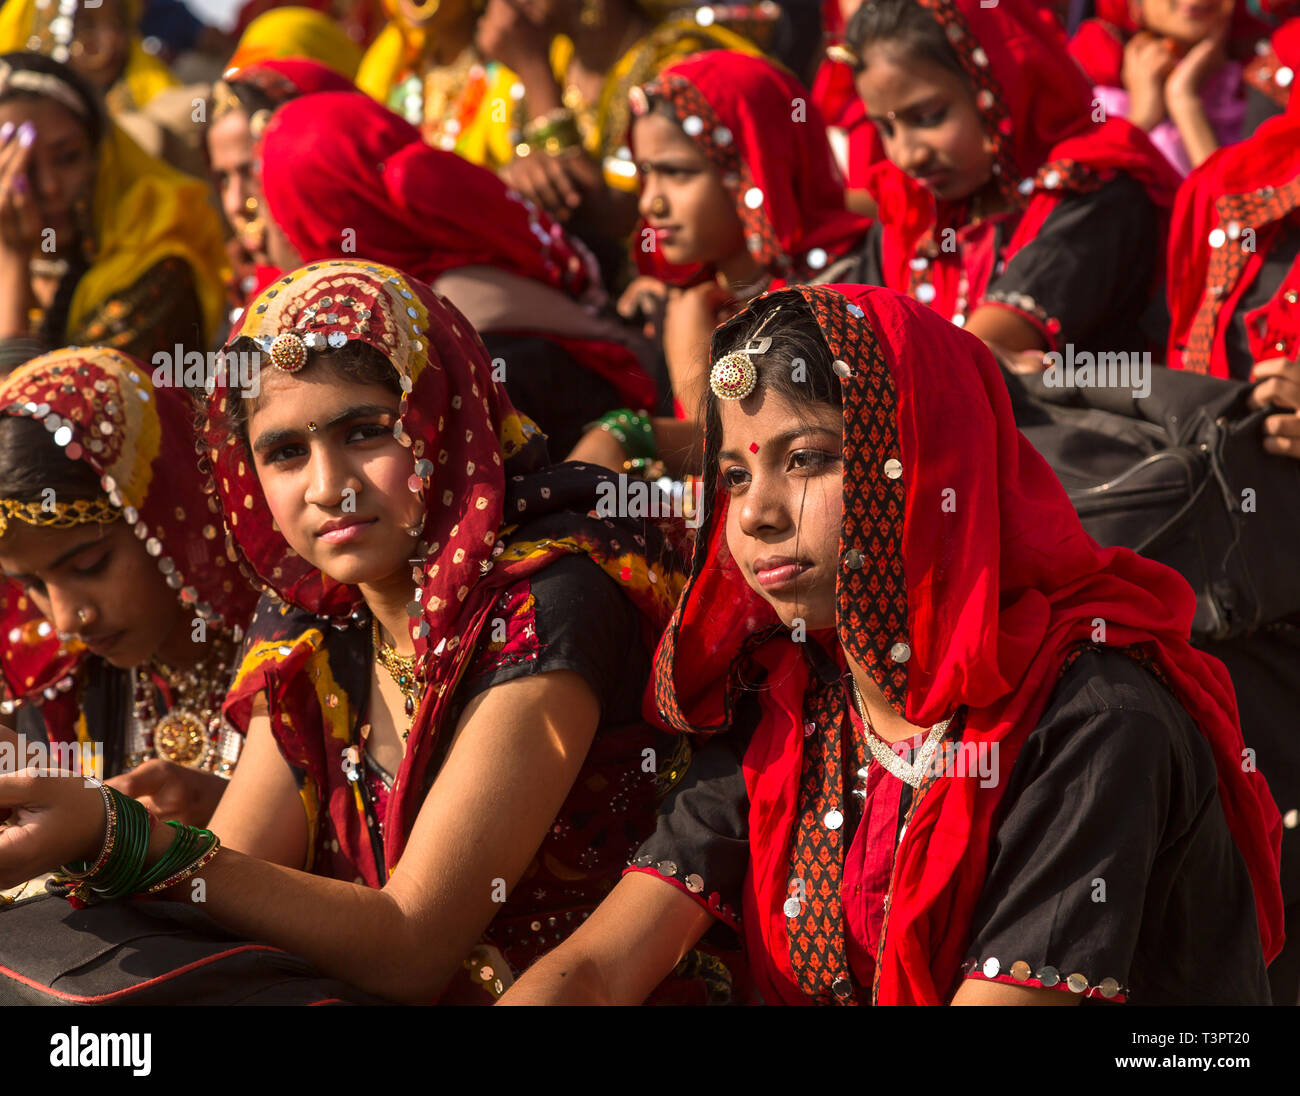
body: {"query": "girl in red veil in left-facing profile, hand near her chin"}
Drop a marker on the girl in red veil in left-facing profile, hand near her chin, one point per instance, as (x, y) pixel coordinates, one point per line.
(739, 193)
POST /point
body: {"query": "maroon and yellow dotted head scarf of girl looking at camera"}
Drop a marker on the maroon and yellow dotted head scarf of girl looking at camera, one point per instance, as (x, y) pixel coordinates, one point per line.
(480, 470)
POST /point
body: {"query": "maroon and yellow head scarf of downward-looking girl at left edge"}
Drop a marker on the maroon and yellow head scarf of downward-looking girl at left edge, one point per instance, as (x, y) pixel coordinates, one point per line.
(103, 409)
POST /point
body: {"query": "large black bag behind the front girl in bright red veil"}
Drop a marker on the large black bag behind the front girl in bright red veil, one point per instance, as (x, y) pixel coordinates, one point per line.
(1181, 478)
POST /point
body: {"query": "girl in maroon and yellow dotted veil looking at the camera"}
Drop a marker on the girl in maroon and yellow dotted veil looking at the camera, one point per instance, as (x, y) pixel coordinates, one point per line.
(447, 761)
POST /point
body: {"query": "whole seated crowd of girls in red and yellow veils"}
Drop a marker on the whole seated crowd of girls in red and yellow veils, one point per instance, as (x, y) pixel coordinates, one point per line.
(786, 743)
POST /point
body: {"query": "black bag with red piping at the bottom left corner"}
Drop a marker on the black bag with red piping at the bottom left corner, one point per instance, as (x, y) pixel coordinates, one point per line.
(119, 948)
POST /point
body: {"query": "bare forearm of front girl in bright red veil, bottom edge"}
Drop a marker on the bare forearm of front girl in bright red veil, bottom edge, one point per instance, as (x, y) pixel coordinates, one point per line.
(619, 955)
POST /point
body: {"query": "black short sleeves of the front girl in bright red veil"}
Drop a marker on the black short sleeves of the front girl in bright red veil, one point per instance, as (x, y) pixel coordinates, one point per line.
(1115, 783)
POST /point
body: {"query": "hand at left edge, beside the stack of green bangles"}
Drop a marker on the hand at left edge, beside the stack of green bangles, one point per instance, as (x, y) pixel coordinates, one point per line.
(49, 821)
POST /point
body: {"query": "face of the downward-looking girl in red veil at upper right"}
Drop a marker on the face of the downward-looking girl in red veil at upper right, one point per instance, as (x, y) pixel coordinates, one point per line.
(929, 123)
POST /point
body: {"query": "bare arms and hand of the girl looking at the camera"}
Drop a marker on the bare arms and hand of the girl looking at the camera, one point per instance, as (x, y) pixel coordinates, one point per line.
(513, 760)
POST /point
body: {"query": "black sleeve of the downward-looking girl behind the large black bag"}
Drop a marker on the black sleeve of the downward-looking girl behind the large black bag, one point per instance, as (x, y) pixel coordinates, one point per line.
(1093, 266)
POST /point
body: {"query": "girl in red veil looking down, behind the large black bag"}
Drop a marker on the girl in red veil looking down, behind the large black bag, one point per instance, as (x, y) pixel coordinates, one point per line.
(1006, 205)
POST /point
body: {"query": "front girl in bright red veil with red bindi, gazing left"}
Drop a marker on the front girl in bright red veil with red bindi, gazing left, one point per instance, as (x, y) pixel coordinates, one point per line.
(891, 590)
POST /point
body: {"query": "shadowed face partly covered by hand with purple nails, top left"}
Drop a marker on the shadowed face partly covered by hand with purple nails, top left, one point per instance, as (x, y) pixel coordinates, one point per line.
(62, 170)
